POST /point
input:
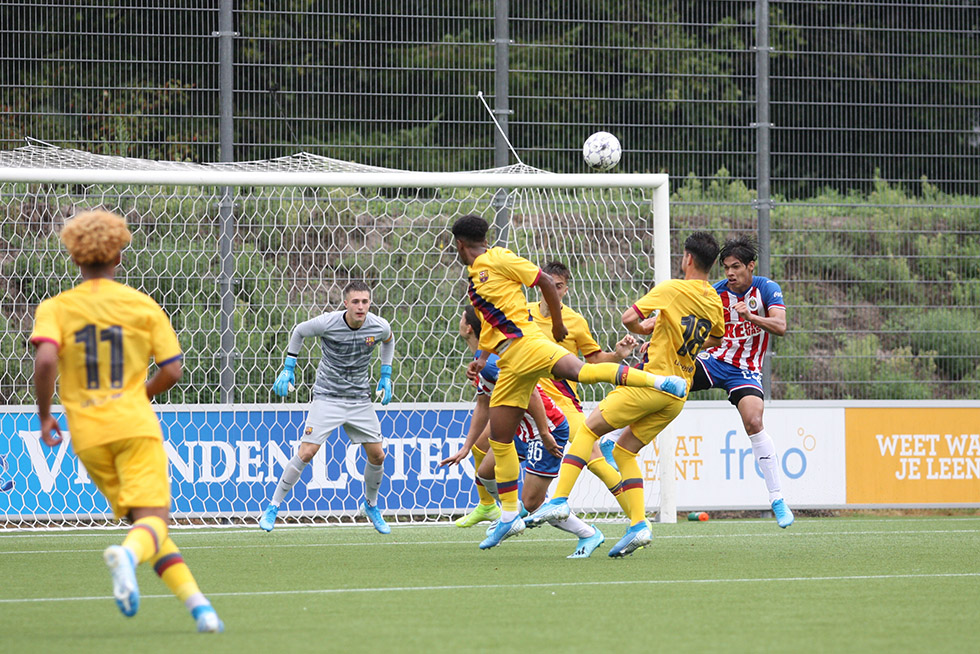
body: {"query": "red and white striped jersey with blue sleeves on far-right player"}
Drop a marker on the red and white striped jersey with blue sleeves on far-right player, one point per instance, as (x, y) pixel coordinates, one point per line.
(744, 344)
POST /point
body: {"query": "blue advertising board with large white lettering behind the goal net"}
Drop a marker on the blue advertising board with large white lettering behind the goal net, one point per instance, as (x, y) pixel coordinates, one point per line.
(225, 461)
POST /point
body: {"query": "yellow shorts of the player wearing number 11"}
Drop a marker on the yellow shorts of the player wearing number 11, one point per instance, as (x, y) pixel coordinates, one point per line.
(130, 473)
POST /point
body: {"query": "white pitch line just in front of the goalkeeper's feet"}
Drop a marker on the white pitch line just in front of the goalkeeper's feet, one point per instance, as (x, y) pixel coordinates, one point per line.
(774, 534)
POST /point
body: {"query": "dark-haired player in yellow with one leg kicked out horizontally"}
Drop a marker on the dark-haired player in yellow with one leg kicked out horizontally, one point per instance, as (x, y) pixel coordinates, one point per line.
(497, 278)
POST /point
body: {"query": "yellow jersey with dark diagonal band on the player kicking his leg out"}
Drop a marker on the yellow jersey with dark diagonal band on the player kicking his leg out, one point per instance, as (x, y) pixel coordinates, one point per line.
(497, 281)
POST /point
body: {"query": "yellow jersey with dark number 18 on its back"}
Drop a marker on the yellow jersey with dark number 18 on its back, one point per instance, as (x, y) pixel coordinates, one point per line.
(690, 311)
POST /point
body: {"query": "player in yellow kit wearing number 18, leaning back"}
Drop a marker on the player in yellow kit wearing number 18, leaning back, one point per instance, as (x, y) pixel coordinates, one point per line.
(683, 316)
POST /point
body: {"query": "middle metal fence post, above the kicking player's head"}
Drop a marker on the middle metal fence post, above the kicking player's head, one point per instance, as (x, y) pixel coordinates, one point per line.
(501, 109)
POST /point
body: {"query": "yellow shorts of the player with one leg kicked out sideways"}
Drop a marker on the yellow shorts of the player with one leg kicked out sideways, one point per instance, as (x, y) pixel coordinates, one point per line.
(523, 363)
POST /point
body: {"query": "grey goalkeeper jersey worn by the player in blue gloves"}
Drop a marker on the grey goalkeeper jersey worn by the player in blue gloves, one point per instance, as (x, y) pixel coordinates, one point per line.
(345, 365)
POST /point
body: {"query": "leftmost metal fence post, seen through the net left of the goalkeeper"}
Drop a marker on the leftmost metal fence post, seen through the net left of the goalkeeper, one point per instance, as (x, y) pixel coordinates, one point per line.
(226, 206)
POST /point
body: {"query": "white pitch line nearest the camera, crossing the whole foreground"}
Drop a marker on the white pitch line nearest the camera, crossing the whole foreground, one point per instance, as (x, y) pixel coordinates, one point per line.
(565, 584)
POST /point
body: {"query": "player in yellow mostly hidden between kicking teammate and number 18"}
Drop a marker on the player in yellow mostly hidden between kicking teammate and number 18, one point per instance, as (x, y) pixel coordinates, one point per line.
(563, 393)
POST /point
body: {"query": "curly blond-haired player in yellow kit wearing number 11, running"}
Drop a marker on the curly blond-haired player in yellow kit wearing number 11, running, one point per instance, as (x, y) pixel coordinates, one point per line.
(100, 337)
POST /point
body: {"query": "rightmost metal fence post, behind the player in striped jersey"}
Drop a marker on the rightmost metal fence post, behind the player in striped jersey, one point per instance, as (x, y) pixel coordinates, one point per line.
(763, 201)
